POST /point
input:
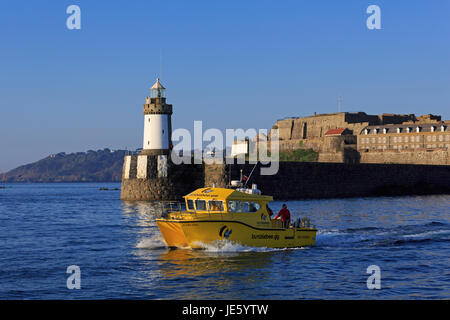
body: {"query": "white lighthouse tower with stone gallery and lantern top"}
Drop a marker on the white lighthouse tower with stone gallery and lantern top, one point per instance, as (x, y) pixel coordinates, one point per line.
(157, 122)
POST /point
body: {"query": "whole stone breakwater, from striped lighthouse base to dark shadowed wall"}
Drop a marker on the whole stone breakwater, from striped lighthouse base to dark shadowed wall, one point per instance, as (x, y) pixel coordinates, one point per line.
(154, 178)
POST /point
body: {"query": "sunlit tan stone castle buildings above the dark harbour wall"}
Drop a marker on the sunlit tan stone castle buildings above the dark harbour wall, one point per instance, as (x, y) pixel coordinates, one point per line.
(356, 137)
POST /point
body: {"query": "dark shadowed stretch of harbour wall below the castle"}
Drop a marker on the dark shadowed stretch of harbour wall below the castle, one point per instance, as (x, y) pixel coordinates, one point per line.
(300, 180)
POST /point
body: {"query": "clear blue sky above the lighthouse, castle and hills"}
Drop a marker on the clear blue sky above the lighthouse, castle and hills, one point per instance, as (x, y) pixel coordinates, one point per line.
(232, 64)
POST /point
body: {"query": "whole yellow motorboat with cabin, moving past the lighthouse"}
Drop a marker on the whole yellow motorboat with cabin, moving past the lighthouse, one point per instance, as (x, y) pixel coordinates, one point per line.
(237, 215)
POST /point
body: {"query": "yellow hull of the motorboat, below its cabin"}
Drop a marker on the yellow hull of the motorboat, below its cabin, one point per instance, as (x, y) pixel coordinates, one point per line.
(196, 234)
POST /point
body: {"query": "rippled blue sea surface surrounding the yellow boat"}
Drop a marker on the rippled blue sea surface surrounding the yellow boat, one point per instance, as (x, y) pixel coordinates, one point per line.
(44, 228)
